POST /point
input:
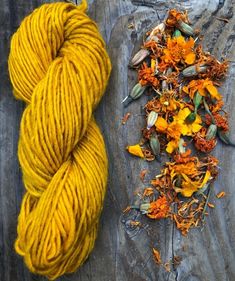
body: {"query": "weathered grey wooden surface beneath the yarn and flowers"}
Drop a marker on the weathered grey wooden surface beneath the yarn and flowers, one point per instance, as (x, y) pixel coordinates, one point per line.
(122, 252)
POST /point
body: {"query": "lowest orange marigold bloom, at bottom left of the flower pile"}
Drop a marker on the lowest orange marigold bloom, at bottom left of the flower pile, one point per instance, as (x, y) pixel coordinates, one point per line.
(159, 209)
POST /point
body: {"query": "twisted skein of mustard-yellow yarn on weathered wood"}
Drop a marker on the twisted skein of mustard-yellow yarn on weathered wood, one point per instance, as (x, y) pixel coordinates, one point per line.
(59, 66)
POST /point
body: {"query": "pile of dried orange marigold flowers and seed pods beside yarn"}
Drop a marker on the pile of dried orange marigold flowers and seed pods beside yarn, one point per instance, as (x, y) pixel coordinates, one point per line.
(186, 109)
